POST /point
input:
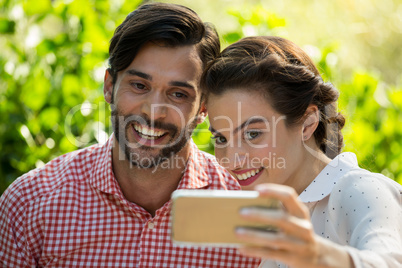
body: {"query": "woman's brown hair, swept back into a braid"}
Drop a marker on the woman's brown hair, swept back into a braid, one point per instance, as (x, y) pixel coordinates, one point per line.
(286, 76)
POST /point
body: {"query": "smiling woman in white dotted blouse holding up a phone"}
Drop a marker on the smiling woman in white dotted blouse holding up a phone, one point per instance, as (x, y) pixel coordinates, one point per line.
(277, 130)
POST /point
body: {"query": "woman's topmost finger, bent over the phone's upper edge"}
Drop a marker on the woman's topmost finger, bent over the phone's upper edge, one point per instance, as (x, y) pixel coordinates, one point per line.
(288, 197)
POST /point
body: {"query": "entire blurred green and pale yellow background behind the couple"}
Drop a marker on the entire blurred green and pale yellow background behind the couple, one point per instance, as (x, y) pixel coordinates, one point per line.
(53, 56)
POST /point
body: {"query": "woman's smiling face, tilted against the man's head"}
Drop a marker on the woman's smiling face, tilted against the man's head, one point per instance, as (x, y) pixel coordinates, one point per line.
(252, 140)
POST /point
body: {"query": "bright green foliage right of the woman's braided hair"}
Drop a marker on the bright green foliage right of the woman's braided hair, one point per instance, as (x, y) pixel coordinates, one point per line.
(374, 112)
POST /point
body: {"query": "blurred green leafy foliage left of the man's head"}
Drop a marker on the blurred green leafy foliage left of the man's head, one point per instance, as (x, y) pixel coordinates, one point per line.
(52, 60)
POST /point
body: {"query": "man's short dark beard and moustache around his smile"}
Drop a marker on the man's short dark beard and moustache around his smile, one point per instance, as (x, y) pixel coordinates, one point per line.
(136, 152)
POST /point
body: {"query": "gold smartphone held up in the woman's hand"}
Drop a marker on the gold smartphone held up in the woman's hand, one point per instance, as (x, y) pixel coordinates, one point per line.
(210, 217)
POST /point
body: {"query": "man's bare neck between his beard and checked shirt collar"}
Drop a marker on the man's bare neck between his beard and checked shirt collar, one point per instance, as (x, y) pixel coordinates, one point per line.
(149, 188)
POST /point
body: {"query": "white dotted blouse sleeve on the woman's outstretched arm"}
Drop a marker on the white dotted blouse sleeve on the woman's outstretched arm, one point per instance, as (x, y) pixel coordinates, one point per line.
(370, 218)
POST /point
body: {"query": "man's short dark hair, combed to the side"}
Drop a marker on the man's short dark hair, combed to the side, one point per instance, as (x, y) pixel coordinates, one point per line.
(169, 24)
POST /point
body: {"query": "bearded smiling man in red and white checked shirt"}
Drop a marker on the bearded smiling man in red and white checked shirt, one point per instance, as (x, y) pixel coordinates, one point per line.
(109, 205)
